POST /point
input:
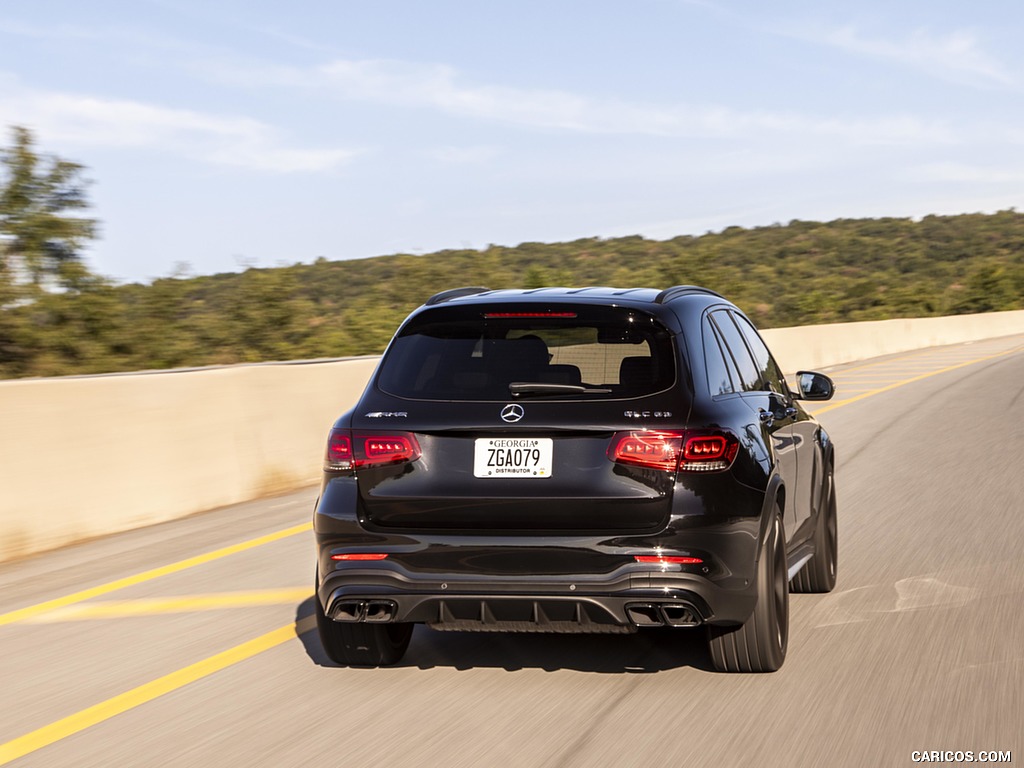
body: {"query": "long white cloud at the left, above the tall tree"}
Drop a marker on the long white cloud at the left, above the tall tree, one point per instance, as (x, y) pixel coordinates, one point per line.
(222, 140)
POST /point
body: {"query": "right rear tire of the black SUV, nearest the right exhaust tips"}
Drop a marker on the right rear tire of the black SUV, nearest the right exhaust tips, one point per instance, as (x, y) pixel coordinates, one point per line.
(760, 644)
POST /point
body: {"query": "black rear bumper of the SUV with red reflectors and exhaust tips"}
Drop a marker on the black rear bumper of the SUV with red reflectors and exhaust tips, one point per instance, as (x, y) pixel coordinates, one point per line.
(535, 581)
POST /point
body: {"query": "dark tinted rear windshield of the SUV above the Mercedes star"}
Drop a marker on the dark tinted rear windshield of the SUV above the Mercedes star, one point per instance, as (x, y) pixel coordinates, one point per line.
(493, 353)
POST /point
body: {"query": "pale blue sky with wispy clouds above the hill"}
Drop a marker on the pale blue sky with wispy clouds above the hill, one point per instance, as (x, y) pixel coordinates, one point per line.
(260, 134)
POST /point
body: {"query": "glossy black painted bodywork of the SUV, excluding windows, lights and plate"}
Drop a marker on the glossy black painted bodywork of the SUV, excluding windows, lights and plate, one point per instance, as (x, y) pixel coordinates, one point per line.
(559, 553)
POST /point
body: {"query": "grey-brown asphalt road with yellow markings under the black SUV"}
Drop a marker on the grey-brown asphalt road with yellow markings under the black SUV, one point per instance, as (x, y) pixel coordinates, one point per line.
(206, 662)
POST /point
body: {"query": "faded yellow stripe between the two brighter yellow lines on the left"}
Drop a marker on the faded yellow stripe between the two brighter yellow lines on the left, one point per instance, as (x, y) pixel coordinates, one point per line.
(160, 606)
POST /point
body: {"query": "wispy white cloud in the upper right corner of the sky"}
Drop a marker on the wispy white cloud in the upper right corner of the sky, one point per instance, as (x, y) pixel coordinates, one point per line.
(957, 57)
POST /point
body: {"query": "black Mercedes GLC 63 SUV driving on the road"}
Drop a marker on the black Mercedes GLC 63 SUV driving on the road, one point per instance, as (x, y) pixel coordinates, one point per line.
(575, 460)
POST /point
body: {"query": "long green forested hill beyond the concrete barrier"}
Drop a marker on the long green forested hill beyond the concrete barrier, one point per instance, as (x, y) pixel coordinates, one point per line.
(801, 274)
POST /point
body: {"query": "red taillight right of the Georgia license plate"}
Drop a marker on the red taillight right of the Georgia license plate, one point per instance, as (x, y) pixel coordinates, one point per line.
(686, 451)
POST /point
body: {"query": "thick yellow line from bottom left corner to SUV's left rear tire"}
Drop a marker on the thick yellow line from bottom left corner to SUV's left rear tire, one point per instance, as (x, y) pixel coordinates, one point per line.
(72, 724)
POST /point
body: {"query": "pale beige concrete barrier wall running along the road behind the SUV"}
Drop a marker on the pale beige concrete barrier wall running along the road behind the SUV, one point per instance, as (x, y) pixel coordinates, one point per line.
(87, 456)
